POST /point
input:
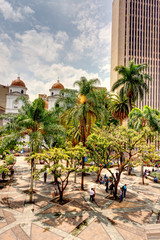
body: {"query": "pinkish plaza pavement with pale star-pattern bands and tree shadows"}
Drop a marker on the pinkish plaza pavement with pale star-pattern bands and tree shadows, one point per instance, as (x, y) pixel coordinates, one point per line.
(134, 218)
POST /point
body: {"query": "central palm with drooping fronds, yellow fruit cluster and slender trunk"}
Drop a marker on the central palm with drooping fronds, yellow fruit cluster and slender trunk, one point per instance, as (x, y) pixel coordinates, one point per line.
(84, 113)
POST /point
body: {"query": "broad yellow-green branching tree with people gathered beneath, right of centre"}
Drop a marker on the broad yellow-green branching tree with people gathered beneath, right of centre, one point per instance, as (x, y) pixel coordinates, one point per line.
(121, 144)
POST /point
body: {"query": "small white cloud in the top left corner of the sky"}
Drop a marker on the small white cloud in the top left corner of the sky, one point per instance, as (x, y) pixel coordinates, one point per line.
(9, 13)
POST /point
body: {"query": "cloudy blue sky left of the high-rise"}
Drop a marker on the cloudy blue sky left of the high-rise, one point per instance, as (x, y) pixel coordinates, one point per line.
(45, 40)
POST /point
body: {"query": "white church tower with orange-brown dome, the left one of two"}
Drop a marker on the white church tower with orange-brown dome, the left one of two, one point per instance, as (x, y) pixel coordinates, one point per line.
(16, 89)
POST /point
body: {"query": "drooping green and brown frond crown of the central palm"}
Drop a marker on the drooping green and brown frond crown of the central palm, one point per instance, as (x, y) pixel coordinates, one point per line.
(88, 108)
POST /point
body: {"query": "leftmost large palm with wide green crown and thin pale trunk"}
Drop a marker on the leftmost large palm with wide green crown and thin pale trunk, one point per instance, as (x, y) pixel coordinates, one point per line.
(40, 125)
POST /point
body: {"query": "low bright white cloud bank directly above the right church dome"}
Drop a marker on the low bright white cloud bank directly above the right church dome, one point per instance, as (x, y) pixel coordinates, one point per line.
(46, 76)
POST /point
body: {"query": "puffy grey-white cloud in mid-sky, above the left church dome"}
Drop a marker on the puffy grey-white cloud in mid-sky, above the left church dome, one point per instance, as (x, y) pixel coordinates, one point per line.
(40, 46)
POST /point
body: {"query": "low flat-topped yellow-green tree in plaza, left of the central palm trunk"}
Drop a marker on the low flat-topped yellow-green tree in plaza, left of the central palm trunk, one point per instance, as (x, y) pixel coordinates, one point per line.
(59, 162)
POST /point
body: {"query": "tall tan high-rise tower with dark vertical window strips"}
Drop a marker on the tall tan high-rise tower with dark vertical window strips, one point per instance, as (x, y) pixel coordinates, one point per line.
(136, 35)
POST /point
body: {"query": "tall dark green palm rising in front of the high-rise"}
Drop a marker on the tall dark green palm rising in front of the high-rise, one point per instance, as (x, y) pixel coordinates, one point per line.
(133, 81)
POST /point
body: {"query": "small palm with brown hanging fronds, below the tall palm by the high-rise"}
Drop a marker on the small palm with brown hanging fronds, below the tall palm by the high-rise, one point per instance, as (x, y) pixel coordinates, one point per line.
(119, 107)
